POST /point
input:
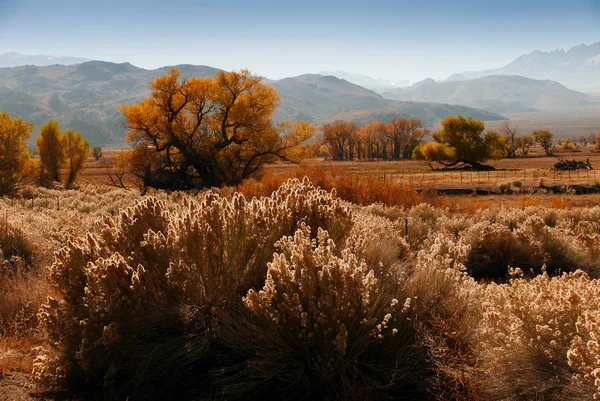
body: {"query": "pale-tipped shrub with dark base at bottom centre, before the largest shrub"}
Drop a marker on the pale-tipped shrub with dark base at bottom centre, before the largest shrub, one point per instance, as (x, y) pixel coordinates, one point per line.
(323, 327)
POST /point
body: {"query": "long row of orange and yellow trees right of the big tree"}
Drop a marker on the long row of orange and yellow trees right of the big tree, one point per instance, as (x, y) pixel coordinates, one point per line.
(462, 142)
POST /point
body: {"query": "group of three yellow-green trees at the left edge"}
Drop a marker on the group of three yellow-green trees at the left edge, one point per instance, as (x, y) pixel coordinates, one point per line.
(57, 150)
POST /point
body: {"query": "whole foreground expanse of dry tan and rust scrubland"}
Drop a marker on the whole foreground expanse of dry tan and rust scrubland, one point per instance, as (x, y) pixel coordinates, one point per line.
(333, 287)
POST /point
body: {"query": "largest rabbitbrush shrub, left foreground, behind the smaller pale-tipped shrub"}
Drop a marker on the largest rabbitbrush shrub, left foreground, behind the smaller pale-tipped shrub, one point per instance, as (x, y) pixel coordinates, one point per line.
(142, 292)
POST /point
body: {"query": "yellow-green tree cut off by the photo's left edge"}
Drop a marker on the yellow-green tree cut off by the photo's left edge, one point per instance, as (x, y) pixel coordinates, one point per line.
(15, 161)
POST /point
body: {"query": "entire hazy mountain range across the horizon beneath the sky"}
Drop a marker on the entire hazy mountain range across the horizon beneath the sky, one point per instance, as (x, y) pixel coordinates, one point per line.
(85, 95)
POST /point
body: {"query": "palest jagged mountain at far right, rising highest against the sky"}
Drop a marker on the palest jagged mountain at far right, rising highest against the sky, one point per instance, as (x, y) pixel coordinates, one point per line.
(577, 68)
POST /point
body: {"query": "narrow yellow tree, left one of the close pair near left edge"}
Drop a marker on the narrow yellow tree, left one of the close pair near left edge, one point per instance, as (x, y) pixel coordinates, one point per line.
(50, 149)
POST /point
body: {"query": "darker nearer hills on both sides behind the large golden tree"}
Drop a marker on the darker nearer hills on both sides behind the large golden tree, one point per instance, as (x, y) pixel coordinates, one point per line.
(86, 97)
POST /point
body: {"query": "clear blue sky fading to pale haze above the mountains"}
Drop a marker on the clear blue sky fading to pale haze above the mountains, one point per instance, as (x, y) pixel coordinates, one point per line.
(381, 38)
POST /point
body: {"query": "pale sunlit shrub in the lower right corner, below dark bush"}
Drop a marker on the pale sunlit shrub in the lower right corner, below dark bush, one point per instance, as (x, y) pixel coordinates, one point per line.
(529, 338)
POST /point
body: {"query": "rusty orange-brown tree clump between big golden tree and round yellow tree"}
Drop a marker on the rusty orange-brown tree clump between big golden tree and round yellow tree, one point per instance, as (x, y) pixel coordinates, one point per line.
(377, 140)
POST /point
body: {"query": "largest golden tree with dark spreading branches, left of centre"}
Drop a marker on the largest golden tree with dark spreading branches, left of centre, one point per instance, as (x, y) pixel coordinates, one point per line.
(211, 131)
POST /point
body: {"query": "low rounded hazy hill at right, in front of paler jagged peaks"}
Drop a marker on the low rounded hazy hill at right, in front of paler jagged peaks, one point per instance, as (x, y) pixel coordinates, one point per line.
(496, 93)
